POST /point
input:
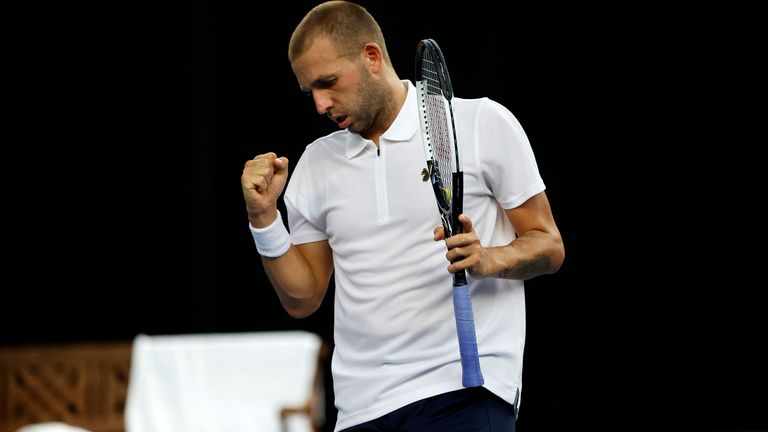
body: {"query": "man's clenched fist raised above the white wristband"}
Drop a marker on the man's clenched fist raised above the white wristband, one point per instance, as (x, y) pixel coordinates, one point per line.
(263, 181)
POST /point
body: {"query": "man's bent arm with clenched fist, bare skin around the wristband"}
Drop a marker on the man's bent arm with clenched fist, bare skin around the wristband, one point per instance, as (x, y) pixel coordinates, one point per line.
(301, 275)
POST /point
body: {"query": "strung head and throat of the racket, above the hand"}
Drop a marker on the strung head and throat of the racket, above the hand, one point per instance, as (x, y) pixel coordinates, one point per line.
(433, 84)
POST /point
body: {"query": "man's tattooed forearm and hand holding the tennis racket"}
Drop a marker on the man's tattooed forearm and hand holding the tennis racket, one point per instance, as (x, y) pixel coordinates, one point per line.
(538, 248)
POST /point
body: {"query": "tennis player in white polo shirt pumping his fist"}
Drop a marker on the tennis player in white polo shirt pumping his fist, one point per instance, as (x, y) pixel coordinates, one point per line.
(359, 209)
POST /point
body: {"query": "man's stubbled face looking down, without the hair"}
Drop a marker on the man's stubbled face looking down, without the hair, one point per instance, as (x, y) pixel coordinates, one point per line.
(342, 88)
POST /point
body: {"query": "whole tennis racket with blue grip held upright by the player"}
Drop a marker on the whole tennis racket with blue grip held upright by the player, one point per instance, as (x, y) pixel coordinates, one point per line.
(442, 152)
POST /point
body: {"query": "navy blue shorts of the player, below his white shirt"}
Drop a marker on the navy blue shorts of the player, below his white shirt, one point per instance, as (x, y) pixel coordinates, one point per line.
(466, 410)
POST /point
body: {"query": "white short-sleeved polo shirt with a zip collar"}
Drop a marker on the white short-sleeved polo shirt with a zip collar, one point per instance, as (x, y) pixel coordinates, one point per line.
(394, 327)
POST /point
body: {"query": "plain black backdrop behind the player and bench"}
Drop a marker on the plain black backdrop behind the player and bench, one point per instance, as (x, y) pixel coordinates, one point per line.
(132, 123)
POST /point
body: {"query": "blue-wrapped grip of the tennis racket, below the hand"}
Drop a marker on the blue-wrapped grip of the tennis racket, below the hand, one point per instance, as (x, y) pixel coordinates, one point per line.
(465, 327)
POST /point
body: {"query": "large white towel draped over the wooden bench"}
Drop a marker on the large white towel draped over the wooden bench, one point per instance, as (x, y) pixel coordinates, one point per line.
(232, 382)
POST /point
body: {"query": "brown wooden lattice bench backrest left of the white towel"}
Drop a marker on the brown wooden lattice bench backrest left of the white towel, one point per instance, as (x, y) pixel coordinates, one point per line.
(81, 384)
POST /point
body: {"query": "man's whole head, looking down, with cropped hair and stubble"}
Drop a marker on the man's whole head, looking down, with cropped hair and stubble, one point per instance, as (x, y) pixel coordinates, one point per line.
(338, 55)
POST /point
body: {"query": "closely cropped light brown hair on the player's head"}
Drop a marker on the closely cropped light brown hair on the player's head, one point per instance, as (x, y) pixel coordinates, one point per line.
(349, 26)
